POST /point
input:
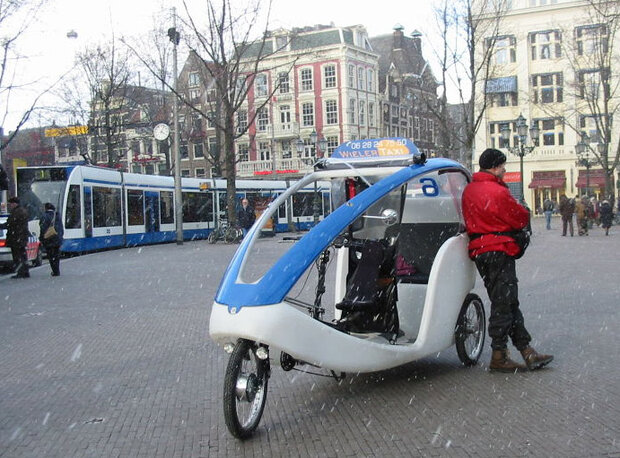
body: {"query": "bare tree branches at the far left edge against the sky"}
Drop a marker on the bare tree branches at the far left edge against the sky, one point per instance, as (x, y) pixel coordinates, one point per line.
(16, 17)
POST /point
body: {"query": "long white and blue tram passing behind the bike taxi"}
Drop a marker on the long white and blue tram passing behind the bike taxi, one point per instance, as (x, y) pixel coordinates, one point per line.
(105, 208)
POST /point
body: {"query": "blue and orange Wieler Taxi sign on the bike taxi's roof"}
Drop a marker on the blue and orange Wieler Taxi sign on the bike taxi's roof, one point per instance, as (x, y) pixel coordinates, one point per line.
(376, 148)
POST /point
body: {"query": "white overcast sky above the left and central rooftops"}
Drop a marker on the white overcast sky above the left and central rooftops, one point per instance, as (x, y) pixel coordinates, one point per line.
(48, 53)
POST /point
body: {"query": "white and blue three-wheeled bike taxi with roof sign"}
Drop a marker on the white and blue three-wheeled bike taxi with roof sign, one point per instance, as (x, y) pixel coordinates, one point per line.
(400, 288)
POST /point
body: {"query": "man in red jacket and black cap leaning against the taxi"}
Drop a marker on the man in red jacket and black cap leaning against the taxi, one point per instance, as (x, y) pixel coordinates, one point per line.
(489, 209)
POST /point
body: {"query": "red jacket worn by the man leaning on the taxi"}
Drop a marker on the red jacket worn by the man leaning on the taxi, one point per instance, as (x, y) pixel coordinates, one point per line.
(489, 207)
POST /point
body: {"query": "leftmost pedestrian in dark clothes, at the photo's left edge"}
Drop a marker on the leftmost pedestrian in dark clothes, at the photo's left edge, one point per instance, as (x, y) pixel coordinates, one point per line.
(17, 237)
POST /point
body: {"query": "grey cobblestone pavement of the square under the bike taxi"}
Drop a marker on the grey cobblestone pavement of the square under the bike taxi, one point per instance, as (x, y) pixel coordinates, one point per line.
(113, 359)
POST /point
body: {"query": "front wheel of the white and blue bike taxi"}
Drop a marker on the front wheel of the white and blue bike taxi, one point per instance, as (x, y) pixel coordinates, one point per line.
(245, 389)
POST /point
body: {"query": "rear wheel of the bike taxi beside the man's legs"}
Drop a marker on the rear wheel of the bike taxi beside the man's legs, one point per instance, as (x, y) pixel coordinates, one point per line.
(470, 330)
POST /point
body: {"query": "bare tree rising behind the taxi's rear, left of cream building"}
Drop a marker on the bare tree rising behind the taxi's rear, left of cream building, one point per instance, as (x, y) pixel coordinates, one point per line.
(469, 30)
